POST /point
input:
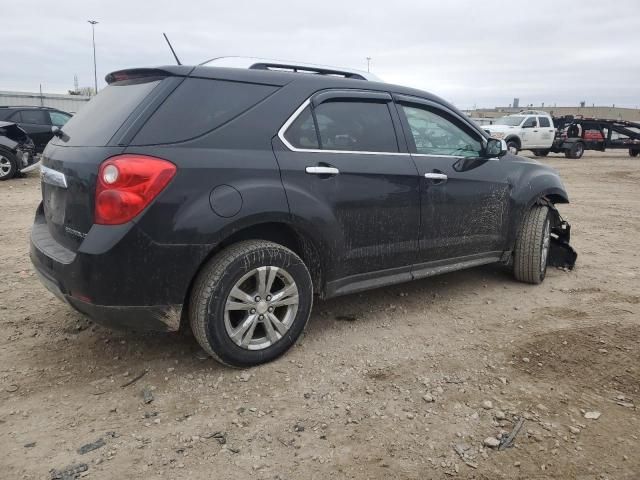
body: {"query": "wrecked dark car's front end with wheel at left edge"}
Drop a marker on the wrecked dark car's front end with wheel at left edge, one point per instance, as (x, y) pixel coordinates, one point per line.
(17, 152)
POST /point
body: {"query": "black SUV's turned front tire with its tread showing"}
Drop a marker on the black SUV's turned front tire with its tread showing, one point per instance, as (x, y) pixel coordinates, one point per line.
(531, 252)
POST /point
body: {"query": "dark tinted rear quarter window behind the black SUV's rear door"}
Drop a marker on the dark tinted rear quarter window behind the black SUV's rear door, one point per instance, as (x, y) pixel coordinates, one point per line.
(199, 106)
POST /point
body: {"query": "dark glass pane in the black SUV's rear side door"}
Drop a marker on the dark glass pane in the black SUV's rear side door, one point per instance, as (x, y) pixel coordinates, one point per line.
(356, 126)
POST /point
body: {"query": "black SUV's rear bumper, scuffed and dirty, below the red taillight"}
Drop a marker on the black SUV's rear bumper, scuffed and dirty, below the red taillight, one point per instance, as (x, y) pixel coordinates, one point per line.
(131, 284)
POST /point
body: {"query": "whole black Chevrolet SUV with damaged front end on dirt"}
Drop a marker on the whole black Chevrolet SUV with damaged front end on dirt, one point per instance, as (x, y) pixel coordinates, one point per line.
(228, 197)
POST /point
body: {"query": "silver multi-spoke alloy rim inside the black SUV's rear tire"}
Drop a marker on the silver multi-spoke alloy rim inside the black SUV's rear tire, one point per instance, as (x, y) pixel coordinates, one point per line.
(261, 307)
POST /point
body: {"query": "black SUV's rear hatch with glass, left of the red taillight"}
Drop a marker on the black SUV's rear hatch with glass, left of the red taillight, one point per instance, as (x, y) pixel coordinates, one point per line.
(101, 129)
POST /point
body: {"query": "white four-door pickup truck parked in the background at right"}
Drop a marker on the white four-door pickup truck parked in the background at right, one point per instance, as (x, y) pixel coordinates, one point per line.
(529, 130)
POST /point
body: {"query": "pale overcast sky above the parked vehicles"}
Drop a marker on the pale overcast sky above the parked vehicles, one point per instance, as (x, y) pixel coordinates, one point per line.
(471, 52)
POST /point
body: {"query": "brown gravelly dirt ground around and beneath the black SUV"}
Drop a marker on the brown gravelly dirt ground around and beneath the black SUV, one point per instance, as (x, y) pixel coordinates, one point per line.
(401, 382)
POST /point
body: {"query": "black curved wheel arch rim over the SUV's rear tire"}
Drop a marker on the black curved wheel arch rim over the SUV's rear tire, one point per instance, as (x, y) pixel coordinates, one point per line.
(282, 233)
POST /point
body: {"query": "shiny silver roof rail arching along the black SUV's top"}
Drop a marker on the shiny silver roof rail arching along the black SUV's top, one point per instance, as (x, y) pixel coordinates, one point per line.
(287, 66)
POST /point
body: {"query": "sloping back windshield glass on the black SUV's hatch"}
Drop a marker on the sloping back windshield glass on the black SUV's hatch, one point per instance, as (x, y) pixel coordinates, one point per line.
(102, 116)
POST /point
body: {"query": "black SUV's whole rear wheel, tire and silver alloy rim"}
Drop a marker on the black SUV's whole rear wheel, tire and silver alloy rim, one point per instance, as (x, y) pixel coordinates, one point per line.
(250, 303)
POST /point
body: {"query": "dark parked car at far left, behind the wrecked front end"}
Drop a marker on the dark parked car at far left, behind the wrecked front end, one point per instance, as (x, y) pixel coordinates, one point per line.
(36, 121)
